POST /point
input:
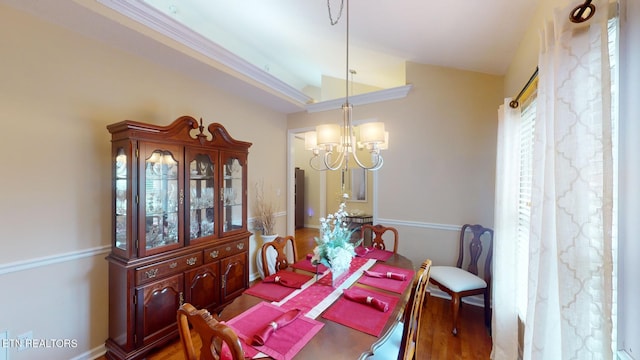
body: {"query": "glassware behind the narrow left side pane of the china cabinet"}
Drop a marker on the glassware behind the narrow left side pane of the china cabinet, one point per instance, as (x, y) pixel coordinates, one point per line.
(121, 199)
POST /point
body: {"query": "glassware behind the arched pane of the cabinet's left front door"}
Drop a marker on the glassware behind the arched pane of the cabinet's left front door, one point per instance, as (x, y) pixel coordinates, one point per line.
(161, 199)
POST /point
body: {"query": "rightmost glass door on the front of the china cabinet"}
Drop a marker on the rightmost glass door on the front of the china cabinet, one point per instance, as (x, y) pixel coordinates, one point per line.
(232, 193)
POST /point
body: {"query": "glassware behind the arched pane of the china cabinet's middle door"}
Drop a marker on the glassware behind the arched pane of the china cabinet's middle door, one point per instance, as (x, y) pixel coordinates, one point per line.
(201, 197)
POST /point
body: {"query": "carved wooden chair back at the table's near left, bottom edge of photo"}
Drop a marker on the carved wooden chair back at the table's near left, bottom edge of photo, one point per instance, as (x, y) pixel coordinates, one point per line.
(219, 341)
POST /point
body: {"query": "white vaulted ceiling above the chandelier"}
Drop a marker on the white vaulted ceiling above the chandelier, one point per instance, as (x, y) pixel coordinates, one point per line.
(289, 51)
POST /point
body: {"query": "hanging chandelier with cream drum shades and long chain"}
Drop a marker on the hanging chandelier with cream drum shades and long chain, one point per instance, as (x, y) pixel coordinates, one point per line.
(333, 145)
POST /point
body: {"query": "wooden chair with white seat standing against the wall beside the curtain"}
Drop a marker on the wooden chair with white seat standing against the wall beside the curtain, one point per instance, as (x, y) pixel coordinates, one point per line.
(460, 282)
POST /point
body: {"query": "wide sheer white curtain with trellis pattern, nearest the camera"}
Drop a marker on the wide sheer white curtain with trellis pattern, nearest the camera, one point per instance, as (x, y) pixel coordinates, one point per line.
(570, 264)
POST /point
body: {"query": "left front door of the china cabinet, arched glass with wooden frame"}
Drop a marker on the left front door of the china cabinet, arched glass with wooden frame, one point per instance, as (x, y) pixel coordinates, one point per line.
(161, 199)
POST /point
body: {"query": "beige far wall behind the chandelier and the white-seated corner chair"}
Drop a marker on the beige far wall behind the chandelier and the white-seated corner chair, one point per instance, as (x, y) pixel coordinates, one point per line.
(439, 171)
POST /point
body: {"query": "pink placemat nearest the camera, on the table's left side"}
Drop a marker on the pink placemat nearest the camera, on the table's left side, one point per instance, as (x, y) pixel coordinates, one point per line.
(285, 342)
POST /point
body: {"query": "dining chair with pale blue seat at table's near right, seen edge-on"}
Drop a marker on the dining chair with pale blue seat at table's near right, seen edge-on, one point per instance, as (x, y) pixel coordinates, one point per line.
(402, 341)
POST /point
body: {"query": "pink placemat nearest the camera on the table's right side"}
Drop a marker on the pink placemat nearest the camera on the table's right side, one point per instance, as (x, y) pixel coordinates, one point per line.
(362, 316)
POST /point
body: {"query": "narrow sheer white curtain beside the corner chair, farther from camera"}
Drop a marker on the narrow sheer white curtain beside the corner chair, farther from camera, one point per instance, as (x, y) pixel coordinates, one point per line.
(505, 314)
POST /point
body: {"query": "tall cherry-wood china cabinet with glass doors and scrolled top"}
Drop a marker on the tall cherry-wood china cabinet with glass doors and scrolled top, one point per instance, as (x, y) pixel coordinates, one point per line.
(179, 228)
